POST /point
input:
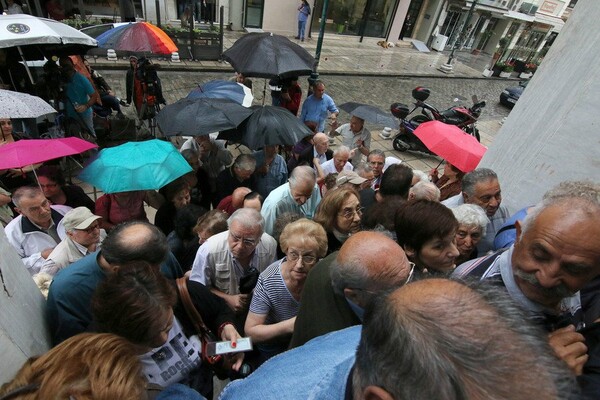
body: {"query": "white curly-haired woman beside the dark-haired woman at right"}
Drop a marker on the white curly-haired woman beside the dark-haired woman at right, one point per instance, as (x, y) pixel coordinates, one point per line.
(472, 223)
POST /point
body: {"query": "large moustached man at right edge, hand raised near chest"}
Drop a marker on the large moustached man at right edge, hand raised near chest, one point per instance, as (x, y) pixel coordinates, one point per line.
(556, 254)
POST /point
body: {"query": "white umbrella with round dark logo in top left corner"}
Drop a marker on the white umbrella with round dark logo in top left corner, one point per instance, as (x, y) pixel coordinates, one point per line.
(41, 35)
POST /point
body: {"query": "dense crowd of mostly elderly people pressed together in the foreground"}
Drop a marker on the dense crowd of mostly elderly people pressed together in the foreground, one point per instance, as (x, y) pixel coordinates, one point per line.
(445, 292)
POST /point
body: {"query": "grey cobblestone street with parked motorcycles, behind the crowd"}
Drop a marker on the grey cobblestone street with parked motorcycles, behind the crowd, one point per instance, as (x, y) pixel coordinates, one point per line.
(378, 91)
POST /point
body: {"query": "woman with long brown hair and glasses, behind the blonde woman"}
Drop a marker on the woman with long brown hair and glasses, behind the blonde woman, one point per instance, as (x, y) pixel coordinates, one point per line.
(340, 214)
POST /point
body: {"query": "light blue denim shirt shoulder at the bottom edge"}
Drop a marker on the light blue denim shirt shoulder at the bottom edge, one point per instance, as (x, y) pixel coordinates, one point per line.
(317, 370)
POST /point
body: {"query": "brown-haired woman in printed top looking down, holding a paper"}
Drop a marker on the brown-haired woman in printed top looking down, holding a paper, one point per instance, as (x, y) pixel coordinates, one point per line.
(138, 303)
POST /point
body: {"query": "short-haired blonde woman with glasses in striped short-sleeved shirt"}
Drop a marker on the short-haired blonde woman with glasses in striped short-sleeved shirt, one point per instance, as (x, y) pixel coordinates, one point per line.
(276, 297)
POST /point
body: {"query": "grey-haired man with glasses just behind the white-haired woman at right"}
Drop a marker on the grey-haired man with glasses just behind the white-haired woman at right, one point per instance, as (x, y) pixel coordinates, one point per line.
(481, 187)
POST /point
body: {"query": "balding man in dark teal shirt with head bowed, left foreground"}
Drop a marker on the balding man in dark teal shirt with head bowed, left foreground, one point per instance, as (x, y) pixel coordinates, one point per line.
(69, 309)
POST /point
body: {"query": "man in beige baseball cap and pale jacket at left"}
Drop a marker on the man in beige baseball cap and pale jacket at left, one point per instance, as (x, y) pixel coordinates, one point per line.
(84, 236)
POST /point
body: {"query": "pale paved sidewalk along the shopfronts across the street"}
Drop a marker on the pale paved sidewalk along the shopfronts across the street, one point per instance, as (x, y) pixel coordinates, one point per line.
(345, 55)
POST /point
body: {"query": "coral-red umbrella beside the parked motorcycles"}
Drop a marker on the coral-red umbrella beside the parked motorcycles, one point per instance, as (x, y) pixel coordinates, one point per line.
(451, 143)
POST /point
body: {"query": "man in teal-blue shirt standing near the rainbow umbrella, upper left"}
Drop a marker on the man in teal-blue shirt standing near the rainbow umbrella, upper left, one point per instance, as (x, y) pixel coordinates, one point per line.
(80, 95)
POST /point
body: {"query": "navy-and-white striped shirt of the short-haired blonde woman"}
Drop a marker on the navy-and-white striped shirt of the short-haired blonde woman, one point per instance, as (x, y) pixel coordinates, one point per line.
(271, 296)
